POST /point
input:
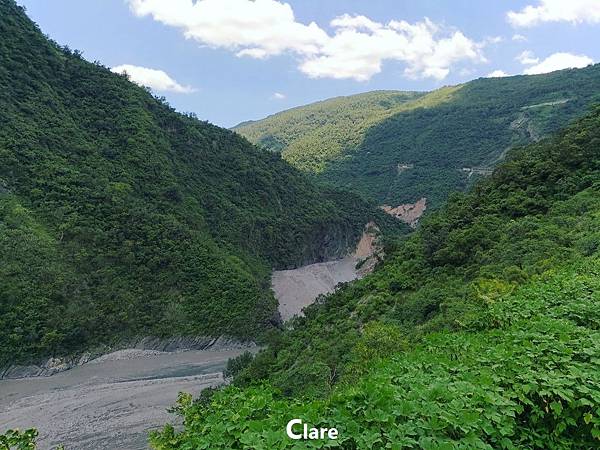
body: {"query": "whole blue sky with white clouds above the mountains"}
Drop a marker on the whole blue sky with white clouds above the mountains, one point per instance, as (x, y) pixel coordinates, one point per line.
(235, 60)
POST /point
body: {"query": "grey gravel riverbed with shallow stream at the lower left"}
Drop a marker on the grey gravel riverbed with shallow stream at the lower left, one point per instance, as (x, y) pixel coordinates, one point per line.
(109, 403)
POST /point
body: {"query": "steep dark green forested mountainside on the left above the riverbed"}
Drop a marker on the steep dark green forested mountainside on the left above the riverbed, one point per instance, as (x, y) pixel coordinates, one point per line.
(120, 217)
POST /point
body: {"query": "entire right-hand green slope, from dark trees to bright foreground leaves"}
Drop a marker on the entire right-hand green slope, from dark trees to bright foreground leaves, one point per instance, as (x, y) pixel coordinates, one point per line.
(481, 329)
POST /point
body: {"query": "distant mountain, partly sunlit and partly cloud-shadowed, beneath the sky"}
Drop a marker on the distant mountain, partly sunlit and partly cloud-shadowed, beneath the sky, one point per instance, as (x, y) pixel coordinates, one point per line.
(399, 147)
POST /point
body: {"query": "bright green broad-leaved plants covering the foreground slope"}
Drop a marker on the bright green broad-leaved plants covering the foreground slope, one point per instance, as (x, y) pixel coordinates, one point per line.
(531, 381)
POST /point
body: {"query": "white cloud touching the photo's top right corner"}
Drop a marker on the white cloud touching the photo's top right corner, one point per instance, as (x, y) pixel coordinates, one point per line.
(573, 11)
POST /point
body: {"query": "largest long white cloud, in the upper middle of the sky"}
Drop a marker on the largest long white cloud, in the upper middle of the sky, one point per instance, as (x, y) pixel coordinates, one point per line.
(356, 48)
